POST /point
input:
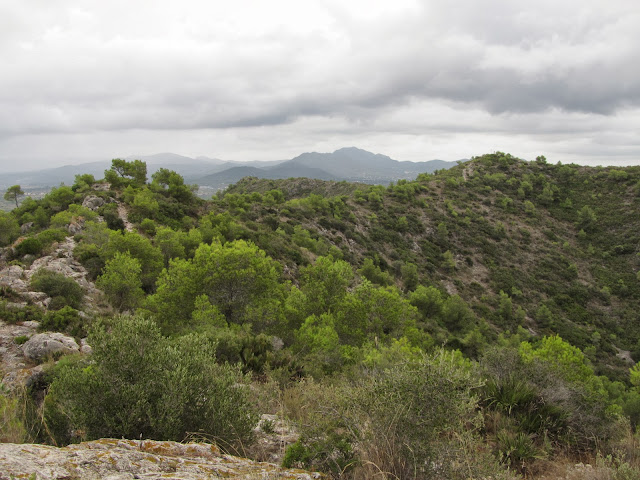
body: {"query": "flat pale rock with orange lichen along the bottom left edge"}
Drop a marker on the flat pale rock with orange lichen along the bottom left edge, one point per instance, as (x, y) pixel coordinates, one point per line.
(128, 459)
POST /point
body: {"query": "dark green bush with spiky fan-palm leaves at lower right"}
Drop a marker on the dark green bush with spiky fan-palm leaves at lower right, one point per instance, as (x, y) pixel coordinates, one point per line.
(537, 399)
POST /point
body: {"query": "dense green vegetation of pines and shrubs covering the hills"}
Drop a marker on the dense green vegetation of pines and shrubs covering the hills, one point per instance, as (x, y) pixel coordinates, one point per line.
(469, 323)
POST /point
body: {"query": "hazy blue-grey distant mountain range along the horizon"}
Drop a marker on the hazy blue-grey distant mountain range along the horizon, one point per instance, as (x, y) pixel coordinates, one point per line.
(350, 164)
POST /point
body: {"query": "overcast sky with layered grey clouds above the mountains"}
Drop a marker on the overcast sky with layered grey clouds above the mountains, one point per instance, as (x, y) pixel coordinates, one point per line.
(90, 80)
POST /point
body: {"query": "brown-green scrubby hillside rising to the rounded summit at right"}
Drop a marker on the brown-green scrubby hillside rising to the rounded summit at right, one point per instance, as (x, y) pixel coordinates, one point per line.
(563, 237)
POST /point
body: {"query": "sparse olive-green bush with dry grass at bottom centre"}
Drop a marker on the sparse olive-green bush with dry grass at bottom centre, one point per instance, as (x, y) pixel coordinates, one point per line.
(414, 420)
